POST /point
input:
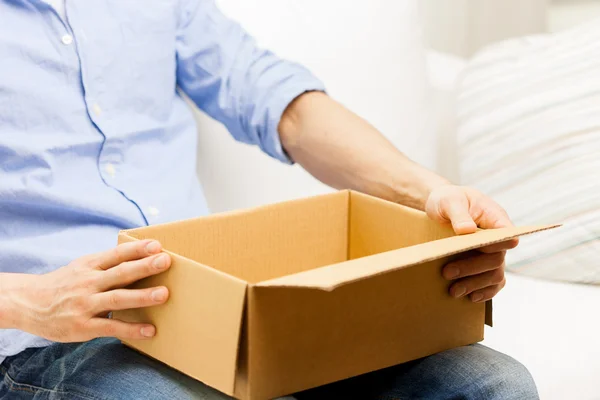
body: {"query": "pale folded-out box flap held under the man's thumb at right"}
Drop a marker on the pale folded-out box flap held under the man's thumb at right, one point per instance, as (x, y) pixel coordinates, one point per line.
(333, 276)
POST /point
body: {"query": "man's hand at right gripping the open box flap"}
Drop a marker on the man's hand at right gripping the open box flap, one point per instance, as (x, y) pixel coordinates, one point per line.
(480, 275)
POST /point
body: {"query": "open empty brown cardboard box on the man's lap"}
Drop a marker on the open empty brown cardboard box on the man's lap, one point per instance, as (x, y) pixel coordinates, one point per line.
(281, 298)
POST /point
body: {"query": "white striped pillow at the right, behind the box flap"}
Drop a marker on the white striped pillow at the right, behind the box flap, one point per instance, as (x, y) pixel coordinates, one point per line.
(529, 136)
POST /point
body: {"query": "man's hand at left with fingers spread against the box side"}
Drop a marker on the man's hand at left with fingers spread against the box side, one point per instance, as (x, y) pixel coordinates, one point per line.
(71, 304)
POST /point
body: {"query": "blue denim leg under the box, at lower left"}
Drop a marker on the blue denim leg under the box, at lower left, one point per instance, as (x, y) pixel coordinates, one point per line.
(102, 369)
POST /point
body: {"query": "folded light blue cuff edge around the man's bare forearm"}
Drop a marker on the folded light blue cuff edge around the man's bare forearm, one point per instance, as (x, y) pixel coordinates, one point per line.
(279, 102)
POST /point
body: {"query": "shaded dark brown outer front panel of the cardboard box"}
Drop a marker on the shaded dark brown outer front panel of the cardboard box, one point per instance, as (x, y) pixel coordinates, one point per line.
(303, 338)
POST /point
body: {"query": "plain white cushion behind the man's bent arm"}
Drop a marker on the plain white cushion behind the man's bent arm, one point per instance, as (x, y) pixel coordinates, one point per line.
(370, 57)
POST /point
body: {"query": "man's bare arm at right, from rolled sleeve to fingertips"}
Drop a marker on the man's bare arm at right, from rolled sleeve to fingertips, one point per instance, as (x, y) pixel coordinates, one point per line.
(344, 151)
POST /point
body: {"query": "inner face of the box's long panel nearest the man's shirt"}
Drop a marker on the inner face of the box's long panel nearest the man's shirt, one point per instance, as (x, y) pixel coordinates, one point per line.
(265, 242)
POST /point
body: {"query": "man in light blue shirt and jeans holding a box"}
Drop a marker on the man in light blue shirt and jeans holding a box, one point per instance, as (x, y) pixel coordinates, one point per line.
(94, 138)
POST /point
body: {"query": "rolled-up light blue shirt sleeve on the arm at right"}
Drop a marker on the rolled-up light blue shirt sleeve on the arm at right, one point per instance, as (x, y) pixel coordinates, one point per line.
(220, 67)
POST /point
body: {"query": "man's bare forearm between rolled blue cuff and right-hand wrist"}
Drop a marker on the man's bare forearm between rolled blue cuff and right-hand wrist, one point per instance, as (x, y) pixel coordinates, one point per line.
(342, 150)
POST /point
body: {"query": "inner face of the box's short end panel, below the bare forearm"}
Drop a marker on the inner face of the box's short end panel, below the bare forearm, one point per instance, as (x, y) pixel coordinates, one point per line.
(378, 225)
